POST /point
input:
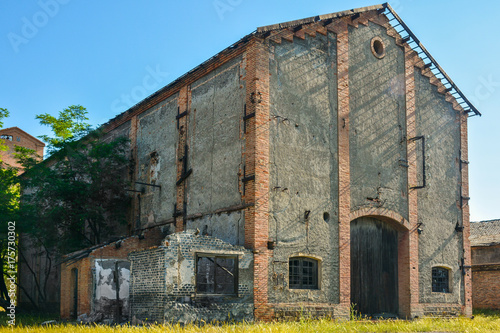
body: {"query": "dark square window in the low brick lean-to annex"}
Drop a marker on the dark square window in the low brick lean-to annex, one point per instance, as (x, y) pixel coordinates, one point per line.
(216, 274)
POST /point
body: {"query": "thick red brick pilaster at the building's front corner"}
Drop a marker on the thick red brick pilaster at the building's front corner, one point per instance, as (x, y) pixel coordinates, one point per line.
(257, 163)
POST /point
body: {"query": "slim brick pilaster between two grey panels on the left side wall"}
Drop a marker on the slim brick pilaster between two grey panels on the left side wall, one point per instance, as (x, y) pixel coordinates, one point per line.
(183, 104)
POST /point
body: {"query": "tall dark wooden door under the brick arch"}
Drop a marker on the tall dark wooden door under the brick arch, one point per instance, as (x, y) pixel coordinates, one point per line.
(374, 267)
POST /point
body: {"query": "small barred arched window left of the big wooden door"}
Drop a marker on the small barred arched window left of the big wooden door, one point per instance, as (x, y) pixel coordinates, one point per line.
(303, 273)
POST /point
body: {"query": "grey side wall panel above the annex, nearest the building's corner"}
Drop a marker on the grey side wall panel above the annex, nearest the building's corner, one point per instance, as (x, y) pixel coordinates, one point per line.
(214, 139)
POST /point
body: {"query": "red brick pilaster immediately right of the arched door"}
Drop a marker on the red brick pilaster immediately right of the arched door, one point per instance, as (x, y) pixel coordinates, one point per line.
(408, 251)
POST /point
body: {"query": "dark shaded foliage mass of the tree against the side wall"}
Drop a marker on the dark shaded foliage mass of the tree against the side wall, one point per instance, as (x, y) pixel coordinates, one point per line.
(77, 198)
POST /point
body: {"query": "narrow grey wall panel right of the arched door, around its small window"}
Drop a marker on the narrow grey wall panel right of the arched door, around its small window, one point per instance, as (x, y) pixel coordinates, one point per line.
(439, 202)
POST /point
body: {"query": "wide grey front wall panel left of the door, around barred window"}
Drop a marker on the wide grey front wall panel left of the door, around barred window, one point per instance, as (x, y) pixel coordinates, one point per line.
(303, 164)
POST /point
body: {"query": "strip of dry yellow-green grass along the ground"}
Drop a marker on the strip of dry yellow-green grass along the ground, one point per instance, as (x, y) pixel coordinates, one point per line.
(483, 322)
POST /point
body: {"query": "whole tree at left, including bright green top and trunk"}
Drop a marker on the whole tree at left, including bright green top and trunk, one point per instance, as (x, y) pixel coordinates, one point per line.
(77, 197)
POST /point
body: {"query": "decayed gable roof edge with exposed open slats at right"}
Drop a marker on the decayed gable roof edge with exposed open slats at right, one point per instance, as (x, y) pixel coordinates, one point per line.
(292, 28)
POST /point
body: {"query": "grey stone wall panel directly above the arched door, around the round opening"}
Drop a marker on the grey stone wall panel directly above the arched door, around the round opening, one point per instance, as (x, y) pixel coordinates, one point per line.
(377, 120)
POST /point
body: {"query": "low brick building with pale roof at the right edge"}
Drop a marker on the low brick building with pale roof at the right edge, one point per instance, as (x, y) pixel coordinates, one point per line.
(485, 249)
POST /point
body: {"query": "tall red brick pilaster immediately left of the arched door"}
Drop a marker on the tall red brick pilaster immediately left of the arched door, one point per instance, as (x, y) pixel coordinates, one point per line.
(340, 28)
